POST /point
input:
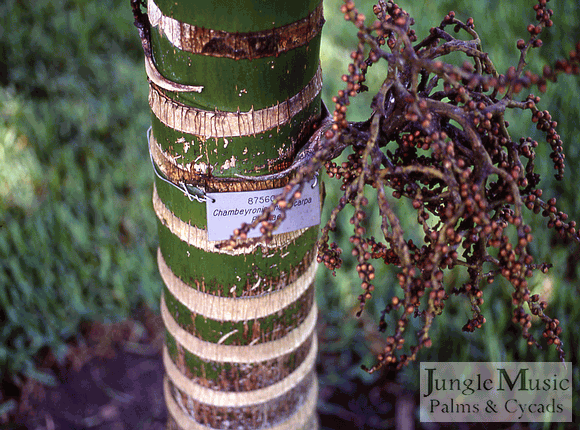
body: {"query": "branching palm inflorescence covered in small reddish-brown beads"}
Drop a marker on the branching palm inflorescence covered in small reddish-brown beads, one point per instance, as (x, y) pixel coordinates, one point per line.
(438, 137)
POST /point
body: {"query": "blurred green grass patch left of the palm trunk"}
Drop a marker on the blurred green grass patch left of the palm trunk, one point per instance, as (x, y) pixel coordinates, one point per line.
(77, 230)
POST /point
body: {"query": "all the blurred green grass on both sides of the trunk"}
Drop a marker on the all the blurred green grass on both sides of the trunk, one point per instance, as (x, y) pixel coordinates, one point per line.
(77, 230)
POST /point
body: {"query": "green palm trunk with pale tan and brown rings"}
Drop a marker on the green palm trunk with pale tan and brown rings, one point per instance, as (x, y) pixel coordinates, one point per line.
(241, 343)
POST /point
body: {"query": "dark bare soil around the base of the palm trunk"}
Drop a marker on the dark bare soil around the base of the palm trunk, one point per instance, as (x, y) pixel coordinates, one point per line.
(113, 380)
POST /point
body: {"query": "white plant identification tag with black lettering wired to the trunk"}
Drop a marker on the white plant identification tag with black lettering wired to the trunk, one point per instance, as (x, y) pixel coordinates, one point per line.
(227, 211)
